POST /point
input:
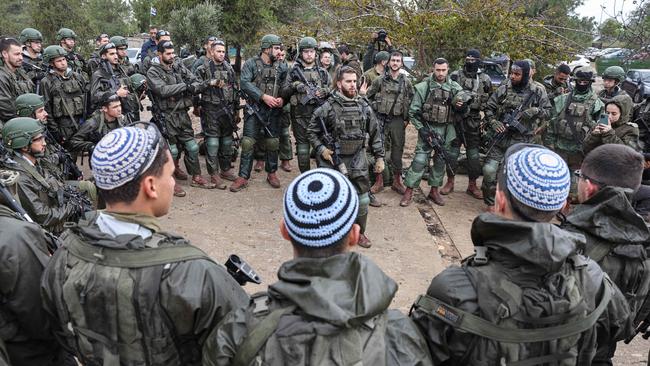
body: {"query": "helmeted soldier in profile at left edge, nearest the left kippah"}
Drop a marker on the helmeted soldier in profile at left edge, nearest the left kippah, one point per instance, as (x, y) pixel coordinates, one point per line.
(42, 195)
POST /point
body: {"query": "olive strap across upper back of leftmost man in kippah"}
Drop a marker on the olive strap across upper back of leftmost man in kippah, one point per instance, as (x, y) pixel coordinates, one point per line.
(130, 258)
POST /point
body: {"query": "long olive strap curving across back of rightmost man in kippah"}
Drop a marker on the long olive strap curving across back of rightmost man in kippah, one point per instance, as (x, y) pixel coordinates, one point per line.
(474, 324)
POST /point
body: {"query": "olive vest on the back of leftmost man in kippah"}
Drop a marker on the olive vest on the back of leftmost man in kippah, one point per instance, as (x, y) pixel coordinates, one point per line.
(114, 316)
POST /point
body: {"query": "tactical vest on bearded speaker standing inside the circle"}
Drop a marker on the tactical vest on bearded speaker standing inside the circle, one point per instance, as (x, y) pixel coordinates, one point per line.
(351, 125)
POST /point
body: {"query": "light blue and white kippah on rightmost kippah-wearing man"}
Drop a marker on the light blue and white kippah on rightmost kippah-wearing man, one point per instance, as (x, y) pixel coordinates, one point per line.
(538, 178)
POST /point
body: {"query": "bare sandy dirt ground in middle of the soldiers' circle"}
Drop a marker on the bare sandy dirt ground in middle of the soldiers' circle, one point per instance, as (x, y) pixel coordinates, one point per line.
(410, 244)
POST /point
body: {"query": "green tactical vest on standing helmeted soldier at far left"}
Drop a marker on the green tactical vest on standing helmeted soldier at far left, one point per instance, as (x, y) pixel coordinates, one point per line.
(67, 96)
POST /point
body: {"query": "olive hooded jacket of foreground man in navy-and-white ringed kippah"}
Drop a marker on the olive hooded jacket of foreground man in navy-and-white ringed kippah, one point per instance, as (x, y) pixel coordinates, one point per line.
(336, 299)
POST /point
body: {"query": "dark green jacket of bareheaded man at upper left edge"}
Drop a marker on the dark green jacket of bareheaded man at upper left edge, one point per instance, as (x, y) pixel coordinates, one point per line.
(12, 84)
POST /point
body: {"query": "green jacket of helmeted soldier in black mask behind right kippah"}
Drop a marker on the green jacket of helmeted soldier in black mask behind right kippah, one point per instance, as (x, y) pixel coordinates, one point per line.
(571, 123)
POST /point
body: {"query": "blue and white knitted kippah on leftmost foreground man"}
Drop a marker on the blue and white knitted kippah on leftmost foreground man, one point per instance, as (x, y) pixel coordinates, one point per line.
(122, 155)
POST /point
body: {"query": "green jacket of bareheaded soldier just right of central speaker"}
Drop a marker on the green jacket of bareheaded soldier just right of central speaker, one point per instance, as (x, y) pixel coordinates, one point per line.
(391, 96)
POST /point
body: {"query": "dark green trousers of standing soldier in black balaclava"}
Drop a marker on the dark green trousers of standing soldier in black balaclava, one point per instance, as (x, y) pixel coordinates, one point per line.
(471, 127)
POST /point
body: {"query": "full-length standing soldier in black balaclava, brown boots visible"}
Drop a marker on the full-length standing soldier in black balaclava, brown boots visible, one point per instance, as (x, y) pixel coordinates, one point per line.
(468, 124)
